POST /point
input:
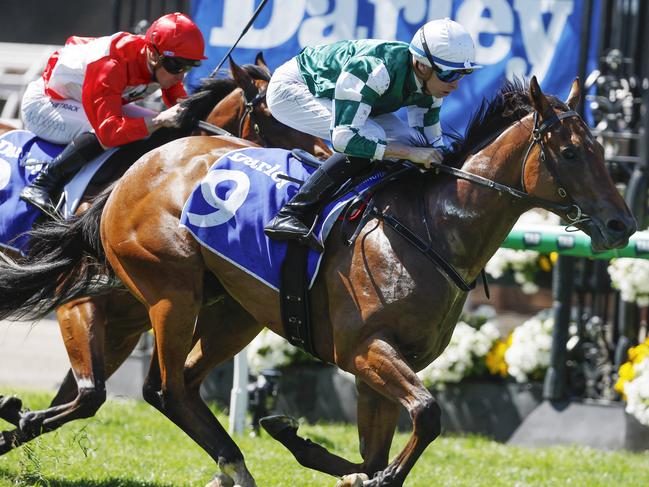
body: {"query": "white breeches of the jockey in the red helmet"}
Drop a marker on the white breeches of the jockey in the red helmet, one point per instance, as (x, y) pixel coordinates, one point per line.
(60, 121)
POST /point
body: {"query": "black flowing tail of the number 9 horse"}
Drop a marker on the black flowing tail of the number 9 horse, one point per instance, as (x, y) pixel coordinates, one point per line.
(65, 261)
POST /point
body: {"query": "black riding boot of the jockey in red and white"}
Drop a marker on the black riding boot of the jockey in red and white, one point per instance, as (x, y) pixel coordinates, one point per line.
(83, 148)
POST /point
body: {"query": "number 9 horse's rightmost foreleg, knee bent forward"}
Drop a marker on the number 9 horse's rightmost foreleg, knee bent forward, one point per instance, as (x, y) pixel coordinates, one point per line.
(383, 368)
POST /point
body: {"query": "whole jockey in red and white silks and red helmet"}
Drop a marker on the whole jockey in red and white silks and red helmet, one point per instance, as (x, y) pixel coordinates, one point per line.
(85, 95)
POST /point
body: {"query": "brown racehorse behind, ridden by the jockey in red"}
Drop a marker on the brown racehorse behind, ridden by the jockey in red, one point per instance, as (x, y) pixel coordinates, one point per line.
(100, 332)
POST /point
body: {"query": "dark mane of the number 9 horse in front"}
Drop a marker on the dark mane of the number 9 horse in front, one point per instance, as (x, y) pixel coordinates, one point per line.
(510, 104)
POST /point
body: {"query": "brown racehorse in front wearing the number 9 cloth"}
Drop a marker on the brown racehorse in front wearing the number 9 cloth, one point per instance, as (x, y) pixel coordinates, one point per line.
(381, 309)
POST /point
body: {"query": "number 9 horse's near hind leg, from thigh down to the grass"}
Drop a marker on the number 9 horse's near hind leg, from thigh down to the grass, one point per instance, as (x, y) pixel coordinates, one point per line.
(173, 295)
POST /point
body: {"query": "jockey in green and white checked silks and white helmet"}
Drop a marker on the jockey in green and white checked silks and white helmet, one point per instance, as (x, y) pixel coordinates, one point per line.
(347, 92)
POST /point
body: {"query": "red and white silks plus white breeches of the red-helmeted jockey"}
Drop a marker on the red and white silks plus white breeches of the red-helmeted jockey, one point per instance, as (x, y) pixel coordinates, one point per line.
(89, 85)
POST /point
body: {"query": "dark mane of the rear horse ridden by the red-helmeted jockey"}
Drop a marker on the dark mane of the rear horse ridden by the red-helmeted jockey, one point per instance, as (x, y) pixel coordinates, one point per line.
(210, 92)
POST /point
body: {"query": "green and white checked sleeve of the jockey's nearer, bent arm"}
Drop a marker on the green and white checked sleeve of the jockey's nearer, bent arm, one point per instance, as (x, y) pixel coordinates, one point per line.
(362, 81)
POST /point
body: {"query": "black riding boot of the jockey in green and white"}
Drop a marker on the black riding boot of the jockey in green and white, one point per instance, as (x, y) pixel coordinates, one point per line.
(294, 220)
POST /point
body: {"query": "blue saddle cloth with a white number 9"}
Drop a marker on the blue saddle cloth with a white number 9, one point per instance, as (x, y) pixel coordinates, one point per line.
(242, 192)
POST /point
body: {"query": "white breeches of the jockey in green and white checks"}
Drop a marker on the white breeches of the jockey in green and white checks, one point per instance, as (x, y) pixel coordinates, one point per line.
(290, 101)
